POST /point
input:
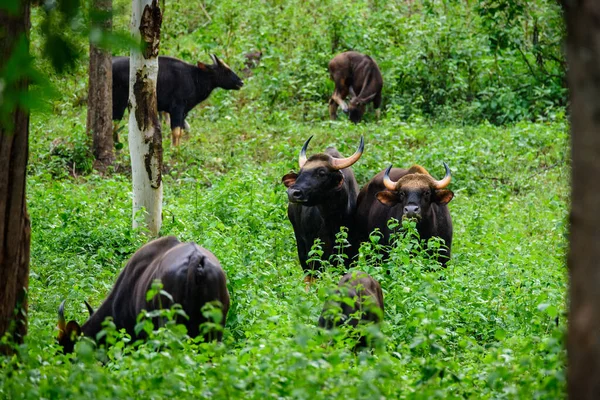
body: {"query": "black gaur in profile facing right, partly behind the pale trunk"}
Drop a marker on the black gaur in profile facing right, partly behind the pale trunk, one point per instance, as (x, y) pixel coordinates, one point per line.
(180, 87)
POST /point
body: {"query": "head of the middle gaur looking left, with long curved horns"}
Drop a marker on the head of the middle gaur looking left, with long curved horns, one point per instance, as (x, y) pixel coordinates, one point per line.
(319, 176)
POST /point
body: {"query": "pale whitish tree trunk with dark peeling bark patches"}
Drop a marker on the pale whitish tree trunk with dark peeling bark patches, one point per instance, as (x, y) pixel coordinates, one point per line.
(145, 139)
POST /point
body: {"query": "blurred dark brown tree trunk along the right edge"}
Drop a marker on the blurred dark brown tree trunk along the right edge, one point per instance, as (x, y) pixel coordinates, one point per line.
(583, 340)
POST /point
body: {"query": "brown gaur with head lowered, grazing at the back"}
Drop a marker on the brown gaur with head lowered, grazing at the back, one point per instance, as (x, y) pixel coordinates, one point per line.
(358, 75)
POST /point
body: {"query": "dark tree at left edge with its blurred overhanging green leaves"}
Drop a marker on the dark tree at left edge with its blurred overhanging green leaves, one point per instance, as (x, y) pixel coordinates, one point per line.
(23, 88)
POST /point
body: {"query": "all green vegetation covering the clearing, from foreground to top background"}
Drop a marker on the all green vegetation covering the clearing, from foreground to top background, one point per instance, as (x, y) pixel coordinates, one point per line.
(488, 326)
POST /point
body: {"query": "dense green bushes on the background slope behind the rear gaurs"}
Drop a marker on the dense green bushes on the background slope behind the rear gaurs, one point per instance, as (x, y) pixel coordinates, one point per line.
(499, 61)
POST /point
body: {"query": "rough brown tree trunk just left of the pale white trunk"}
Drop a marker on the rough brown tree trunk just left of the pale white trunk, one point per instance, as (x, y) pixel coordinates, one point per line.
(99, 118)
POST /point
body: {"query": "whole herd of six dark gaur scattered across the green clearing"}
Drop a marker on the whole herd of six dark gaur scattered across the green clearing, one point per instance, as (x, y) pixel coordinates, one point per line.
(323, 197)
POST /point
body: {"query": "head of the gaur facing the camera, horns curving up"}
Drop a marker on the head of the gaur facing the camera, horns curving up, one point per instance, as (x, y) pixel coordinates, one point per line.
(415, 191)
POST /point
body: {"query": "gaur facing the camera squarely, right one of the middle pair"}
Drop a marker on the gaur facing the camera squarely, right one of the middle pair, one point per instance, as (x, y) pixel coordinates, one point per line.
(412, 193)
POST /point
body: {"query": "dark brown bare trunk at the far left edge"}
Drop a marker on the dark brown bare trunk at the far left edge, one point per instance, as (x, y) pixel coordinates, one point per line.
(14, 220)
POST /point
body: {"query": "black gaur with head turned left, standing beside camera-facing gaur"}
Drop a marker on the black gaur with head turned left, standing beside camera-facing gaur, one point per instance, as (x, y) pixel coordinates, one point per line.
(322, 199)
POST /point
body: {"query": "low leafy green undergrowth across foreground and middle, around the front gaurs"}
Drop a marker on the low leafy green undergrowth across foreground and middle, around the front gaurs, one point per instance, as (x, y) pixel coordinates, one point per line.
(485, 327)
